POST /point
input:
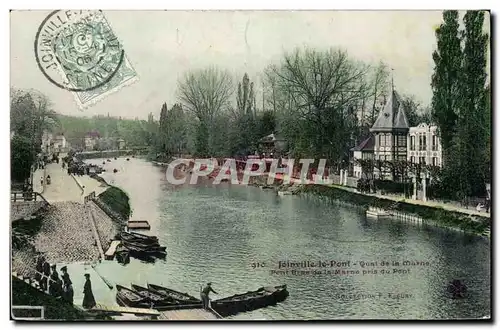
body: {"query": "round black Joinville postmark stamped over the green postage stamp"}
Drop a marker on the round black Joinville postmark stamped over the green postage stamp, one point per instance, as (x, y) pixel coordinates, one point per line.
(76, 50)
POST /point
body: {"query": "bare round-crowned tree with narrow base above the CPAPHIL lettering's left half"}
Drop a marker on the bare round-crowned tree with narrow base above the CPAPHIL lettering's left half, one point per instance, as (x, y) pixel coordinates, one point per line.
(205, 93)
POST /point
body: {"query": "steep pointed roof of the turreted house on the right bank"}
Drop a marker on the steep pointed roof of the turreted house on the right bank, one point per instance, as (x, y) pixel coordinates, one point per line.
(392, 117)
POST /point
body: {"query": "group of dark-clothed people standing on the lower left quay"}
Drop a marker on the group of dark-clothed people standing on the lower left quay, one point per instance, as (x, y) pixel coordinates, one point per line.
(48, 278)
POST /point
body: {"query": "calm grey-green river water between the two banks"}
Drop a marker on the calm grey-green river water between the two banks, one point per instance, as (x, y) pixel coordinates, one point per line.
(220, 234)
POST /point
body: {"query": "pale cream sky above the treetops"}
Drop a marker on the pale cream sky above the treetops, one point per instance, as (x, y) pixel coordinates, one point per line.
(162, 45)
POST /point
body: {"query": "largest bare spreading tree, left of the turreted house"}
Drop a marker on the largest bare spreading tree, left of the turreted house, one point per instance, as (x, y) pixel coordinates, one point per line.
(324, 90)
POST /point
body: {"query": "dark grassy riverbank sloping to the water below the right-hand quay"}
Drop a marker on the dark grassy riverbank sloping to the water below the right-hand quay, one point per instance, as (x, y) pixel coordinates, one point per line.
(432, 215)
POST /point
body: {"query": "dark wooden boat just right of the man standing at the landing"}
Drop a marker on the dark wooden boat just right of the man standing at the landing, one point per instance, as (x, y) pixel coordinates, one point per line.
(262, 297)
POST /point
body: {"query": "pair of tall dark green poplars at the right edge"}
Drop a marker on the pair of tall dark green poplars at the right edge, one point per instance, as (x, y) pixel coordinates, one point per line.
(460, 103)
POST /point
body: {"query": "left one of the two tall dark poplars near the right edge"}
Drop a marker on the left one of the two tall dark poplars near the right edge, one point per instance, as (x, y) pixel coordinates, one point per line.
(446, 79)
